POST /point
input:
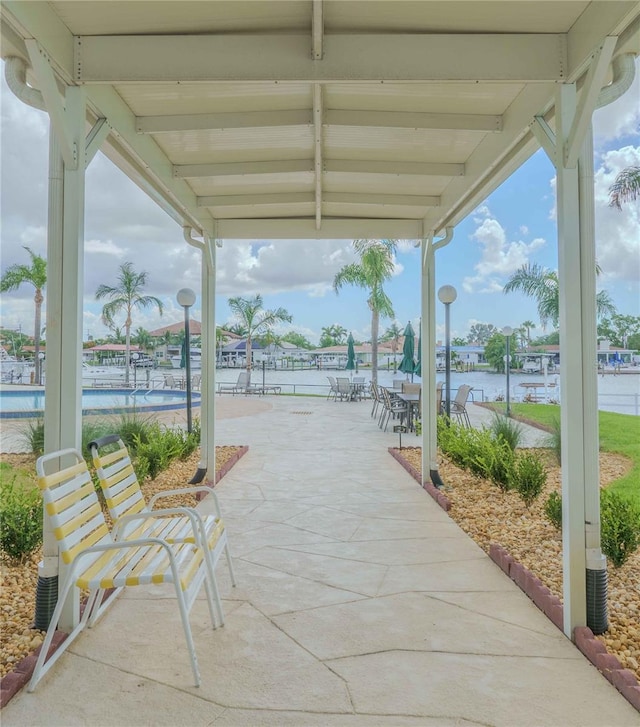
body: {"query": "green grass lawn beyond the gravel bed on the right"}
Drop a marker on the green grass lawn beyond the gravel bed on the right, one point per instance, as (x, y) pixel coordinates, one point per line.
(618, 433)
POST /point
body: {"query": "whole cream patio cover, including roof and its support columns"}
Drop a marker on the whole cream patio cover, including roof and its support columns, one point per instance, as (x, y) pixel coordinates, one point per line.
(316, 119)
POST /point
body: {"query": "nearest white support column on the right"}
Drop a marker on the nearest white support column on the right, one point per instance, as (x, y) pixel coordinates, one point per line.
(572, 369)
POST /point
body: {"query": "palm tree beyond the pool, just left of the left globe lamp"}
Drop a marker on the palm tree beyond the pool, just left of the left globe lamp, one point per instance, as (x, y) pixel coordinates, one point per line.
(126, 296)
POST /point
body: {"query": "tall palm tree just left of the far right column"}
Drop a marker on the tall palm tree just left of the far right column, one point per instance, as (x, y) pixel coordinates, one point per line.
(375, 267)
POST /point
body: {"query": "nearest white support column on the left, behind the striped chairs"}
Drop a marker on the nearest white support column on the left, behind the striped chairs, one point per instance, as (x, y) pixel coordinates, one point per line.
(65, 267)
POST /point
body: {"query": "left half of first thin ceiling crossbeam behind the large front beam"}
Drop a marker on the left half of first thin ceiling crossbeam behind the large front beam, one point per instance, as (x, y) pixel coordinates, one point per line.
(220, 121)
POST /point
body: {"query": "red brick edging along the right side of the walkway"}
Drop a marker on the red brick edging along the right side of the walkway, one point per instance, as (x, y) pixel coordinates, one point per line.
(624, 680)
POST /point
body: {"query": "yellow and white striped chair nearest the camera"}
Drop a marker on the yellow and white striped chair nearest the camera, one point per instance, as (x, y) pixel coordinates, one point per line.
(98, 559)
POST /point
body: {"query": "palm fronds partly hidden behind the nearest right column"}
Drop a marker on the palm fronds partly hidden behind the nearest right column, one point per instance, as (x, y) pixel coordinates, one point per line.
(543, 285)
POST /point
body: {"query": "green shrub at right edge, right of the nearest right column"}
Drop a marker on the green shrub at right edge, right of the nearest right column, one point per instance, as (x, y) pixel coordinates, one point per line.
(619, 527)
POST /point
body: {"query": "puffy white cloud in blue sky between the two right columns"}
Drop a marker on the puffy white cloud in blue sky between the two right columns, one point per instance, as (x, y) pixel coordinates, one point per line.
(499, 258)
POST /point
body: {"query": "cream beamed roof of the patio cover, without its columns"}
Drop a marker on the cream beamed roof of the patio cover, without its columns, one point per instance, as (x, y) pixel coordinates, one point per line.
(322, 118)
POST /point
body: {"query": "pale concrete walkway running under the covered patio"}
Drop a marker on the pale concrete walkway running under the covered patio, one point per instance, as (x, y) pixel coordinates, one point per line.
(359, 603)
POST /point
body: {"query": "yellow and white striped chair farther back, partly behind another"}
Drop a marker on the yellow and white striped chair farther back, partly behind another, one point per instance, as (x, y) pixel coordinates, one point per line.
(128, 507)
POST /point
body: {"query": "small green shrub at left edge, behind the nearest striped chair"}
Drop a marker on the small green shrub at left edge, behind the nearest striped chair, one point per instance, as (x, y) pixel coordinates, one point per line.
(20, 518)
